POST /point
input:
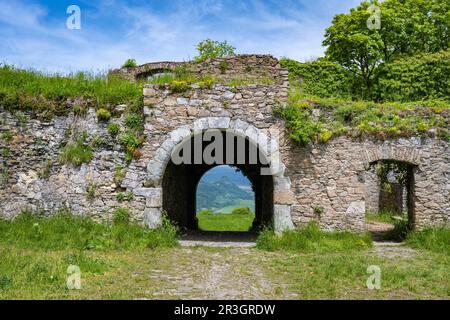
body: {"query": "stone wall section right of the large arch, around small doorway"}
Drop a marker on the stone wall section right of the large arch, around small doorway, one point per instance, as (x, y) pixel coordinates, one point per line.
(333, 176)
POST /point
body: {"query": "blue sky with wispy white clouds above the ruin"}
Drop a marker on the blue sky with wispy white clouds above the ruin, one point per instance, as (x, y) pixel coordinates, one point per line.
(34, 34)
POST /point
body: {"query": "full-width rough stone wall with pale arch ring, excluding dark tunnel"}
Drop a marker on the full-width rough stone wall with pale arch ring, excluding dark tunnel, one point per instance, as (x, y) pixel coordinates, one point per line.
(332, 176)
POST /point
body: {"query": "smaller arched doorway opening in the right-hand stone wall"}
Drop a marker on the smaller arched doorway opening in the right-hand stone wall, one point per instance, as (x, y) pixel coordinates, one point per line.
(390, 199)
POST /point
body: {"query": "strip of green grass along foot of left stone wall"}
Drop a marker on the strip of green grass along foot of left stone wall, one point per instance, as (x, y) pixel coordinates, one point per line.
(66, 231)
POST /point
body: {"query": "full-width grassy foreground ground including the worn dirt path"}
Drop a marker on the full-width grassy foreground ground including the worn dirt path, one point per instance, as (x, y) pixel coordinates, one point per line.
(227, 273)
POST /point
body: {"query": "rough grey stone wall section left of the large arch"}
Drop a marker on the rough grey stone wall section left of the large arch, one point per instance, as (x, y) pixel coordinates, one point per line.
(34, 178)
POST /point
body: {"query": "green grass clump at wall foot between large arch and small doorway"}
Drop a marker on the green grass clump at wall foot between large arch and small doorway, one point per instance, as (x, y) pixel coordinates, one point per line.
(312, 239)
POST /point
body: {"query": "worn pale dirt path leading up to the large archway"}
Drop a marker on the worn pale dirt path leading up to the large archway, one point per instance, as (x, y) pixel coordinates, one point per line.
(205, 274)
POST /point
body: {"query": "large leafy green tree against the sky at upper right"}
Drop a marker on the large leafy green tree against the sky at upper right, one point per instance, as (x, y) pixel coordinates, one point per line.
(407, 27)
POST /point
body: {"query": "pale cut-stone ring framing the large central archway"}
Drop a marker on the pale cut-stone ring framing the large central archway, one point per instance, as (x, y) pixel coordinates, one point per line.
(264, 141)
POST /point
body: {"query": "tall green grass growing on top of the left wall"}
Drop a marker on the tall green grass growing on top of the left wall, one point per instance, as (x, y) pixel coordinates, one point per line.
(50, 92)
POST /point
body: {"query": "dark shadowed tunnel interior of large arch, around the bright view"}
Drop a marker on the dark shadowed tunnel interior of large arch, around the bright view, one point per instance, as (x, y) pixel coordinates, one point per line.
(180, 182)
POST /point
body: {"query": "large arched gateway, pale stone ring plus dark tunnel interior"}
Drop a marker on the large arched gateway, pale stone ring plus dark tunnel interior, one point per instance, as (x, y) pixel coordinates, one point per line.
(191, 150)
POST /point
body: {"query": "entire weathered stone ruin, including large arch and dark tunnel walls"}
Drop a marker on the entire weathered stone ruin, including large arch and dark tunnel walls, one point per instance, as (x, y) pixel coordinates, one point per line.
(337, 176)
